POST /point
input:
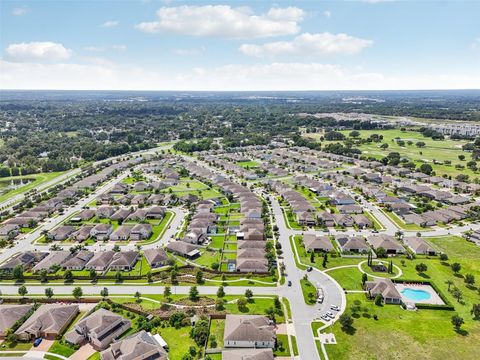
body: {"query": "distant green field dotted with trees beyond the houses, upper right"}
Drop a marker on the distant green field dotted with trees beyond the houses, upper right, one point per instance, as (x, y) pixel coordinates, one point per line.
(434, 149)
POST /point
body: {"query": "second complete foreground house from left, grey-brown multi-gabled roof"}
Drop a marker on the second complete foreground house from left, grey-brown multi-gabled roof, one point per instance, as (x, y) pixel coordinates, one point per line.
(100, 329)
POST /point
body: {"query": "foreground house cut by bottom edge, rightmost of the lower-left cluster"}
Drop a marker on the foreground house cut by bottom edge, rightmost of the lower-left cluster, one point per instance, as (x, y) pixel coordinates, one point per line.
(141, 345)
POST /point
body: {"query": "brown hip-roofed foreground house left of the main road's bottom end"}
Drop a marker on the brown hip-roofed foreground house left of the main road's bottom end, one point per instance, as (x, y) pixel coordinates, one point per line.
(248, 331)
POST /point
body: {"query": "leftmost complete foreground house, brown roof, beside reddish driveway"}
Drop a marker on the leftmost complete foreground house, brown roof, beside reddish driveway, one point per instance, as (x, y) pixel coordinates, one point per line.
(48, 321)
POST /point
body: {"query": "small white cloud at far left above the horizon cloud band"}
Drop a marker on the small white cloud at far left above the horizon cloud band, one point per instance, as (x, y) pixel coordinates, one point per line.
(38, 51)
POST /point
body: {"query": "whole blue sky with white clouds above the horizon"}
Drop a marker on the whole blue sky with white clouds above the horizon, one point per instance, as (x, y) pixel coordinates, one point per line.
(239, 45)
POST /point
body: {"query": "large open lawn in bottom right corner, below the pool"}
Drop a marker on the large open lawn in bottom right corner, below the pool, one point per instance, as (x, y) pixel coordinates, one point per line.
(400, 334)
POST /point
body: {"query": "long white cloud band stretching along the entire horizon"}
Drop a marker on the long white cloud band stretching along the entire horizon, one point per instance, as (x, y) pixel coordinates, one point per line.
(101, 74)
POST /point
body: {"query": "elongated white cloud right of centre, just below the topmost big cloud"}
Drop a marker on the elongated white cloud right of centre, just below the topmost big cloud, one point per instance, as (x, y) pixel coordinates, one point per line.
(309, 44)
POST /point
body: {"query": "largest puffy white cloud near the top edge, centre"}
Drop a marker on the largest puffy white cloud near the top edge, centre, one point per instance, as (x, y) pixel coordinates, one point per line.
(224, 21)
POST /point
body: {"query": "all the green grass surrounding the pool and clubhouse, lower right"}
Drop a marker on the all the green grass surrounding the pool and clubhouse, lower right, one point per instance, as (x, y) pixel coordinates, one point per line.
(425, 334)
